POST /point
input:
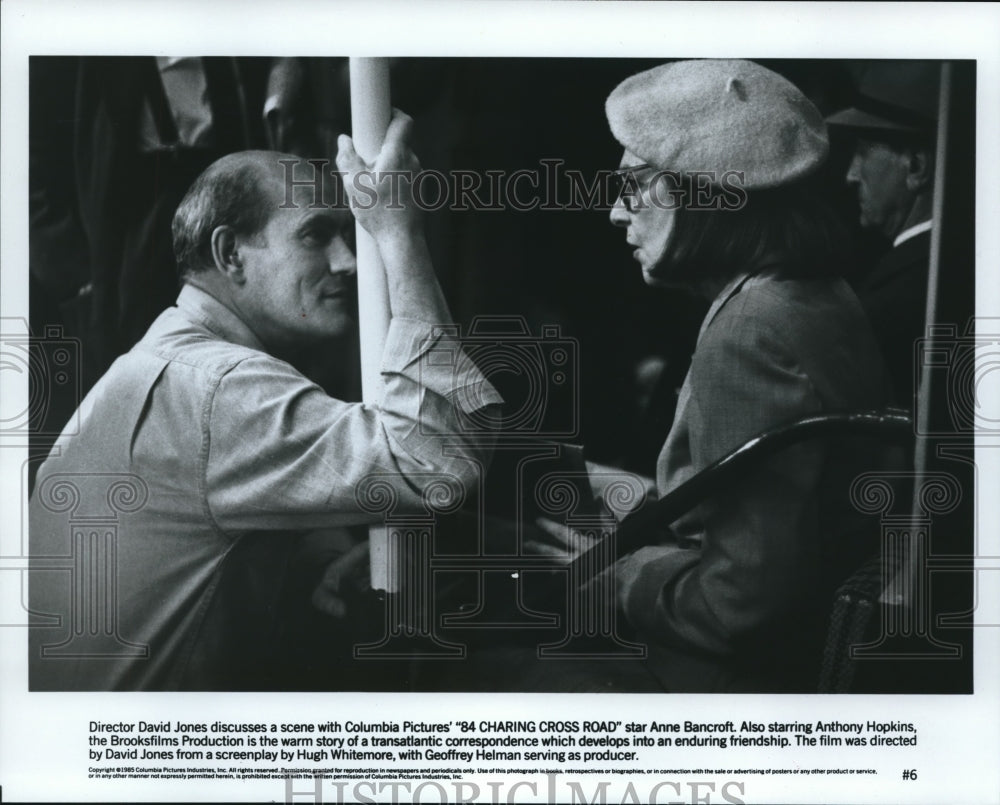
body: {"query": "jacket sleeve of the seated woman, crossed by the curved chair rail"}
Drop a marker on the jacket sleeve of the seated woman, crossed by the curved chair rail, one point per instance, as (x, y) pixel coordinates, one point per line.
(758, 537)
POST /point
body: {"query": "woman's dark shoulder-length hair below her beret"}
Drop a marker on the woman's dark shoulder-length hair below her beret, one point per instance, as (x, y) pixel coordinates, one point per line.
(791, 227)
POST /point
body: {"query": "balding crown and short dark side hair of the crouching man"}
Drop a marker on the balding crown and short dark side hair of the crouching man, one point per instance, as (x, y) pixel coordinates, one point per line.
(240, 191)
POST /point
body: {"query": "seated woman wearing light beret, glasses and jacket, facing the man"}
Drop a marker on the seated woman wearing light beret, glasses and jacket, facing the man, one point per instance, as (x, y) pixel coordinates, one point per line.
(717, 158)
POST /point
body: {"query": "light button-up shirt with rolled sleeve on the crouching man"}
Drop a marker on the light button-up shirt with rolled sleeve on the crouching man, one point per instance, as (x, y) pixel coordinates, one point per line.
(197, 437)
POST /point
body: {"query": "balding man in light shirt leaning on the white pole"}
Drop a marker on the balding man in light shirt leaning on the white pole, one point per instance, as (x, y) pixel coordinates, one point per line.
(204, 448)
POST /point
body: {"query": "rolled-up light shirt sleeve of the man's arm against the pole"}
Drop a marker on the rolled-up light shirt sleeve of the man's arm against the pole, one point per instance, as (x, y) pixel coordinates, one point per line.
(284, 454)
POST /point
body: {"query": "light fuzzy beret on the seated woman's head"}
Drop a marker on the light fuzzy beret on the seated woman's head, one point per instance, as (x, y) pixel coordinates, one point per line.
(719, 115)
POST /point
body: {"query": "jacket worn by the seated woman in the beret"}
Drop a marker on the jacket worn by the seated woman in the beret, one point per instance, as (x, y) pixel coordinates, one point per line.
(739, 602)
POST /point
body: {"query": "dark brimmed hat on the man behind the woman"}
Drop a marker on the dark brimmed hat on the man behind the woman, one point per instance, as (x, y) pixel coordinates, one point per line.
(894, 96)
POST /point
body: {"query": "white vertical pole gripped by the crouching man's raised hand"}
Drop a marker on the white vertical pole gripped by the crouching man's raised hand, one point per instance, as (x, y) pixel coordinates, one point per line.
(370, 113)
